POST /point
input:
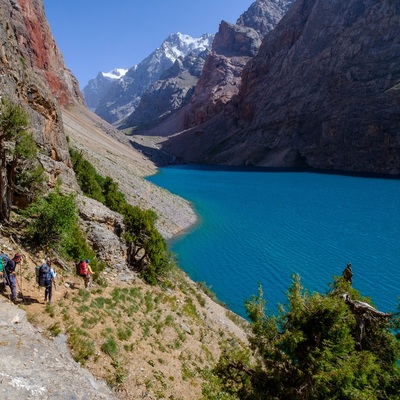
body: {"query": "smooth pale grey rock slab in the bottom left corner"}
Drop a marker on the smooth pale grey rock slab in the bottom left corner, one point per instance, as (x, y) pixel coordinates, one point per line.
(35, 367)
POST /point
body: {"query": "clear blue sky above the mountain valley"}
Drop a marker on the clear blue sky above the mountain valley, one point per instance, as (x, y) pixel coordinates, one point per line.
(99, 35)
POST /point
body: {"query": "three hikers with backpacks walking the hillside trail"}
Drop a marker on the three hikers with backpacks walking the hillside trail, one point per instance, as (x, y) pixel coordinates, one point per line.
(45, 275)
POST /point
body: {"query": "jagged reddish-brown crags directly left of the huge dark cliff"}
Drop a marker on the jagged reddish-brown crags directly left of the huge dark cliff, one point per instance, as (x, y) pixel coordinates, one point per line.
(234, 45)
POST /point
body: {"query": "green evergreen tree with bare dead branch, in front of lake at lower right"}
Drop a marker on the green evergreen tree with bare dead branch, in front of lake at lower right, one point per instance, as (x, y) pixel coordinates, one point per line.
(310, 350)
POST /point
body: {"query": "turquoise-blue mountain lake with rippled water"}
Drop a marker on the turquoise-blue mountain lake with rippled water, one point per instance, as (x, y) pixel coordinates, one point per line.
(258, 226)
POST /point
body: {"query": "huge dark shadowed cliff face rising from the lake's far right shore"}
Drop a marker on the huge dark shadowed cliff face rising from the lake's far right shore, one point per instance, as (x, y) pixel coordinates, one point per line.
(323, 91)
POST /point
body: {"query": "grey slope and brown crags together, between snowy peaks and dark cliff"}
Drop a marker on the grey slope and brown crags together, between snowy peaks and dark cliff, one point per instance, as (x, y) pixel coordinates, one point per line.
(168, 102)
